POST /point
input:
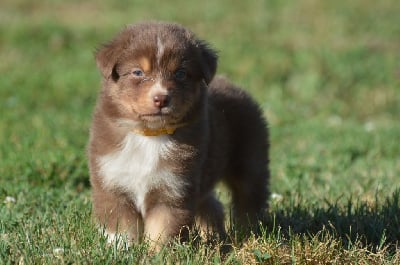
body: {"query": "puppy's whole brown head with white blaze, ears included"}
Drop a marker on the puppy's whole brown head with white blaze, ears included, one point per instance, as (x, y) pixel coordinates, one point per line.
(155, 73)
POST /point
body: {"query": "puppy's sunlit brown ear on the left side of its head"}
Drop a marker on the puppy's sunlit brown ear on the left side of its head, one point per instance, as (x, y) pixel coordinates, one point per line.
(106, 59)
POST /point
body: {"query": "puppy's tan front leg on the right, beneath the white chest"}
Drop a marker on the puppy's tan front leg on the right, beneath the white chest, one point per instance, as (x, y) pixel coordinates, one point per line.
(163, 222)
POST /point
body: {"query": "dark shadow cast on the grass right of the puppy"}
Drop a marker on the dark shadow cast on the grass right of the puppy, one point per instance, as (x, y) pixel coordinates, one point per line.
(375, 225)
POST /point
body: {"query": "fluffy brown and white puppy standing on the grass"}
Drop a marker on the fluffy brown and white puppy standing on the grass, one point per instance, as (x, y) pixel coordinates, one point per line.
(164, 133)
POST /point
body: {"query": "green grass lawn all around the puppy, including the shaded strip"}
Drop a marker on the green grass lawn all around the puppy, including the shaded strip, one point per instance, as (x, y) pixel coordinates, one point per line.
(327, 74)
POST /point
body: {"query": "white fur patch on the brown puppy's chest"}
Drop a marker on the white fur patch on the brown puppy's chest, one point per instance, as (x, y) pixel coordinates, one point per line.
(136, 169)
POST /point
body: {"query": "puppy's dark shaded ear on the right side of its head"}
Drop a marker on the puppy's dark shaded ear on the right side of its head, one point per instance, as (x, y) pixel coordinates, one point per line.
(209, 61)
